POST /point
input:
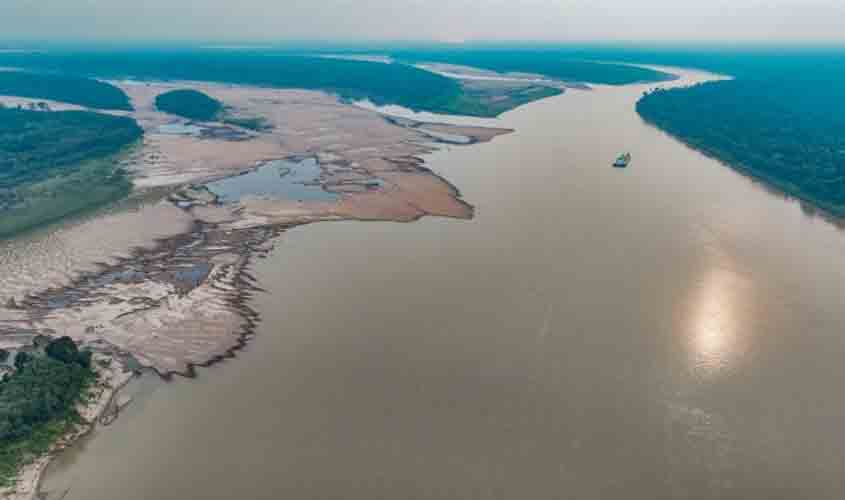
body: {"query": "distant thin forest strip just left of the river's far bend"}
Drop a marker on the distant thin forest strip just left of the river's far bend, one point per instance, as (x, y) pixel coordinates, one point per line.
(543, 62)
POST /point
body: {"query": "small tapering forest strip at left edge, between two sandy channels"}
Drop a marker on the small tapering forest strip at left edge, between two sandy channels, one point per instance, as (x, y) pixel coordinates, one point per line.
(74, 90)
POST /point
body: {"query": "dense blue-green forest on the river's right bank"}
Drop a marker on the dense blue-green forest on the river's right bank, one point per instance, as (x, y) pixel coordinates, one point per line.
(781, 120)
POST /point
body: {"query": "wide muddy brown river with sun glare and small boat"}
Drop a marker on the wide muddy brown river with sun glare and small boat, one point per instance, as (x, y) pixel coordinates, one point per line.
(672, 330)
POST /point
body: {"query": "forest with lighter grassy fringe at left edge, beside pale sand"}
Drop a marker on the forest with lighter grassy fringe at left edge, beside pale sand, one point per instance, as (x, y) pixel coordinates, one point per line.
(56, 163)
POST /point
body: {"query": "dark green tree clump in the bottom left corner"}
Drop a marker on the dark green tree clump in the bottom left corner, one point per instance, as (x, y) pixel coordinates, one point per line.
(38, 402)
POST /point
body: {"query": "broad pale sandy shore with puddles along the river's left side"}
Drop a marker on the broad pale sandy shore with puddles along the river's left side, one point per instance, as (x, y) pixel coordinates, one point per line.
(168, 282)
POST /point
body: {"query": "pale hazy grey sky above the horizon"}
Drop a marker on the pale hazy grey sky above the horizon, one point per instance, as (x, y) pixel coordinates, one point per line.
(442, 20)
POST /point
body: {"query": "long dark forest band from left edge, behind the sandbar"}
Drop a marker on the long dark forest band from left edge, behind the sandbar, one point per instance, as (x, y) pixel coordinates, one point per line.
(382, 83)
